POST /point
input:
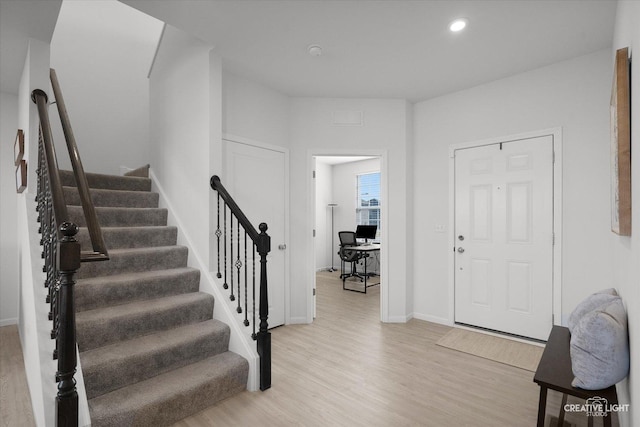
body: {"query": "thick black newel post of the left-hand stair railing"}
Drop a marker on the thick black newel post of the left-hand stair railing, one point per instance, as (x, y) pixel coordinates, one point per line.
(68, 264)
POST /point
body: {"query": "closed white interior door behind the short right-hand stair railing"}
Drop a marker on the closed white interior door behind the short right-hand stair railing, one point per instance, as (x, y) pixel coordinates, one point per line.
(255, 178)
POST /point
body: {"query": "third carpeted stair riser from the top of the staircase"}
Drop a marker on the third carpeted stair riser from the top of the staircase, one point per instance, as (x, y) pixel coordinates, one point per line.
(120, 217)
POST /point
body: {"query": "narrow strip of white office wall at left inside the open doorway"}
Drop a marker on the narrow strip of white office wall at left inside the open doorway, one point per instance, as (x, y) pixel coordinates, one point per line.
(324, 196)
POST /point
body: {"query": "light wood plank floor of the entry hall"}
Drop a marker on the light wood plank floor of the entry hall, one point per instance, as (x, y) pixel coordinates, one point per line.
(348, 369)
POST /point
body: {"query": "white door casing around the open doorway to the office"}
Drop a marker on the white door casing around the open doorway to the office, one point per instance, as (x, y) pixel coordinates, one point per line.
(384, 213)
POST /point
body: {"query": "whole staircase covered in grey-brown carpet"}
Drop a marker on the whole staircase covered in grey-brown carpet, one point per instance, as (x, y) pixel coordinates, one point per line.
(150, 351)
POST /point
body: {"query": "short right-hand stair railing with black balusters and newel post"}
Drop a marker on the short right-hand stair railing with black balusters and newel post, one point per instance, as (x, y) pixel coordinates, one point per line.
(261, 243)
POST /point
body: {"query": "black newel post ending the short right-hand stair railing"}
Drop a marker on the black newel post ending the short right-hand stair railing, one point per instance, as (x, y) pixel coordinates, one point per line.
(264, 336)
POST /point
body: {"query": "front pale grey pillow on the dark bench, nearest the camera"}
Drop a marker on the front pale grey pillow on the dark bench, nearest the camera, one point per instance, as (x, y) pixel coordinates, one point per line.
(600, 347)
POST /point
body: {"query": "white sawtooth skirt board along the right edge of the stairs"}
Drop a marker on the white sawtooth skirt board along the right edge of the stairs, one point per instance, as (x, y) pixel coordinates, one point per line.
(240, 342)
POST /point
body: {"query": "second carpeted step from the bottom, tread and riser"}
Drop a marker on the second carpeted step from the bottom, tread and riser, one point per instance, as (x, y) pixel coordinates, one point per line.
(126, 362)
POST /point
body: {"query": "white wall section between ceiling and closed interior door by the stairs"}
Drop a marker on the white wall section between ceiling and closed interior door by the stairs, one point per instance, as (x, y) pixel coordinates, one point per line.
(251, 110)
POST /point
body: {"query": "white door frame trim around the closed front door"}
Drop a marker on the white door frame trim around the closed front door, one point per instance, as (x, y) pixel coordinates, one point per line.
(556, 134)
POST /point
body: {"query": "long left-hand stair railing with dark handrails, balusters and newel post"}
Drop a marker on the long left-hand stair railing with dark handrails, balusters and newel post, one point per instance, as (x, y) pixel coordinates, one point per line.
(61, 251)
